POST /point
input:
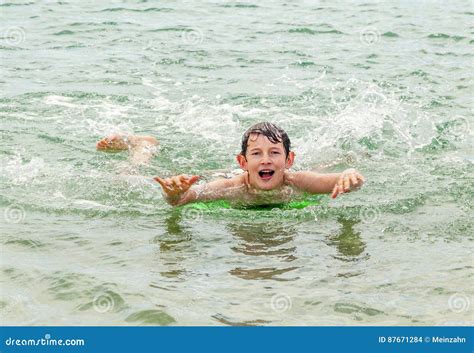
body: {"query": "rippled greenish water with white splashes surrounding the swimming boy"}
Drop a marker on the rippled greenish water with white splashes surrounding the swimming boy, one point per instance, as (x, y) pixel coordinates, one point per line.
(384, 87)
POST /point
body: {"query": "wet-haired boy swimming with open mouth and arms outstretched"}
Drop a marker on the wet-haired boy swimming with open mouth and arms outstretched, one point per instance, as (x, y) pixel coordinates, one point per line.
(265, 159)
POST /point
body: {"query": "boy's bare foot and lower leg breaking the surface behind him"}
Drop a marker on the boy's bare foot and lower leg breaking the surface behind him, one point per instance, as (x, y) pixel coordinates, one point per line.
(141, 148)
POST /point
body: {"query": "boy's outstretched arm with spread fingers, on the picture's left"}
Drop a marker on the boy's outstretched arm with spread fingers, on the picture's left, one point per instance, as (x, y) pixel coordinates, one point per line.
(178, 190)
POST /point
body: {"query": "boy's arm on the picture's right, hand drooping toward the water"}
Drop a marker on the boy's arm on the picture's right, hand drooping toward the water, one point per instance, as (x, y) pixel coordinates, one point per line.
(334, 183)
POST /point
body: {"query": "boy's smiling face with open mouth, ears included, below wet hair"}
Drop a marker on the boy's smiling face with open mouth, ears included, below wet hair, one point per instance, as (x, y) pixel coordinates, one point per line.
(265, 162)
